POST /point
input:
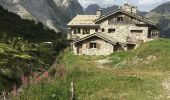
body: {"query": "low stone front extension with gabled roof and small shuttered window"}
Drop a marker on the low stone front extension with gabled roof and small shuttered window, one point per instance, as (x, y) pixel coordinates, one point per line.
(97, 44)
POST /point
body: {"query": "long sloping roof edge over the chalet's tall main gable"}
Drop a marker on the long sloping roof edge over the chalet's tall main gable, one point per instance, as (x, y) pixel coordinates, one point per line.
(127, 13)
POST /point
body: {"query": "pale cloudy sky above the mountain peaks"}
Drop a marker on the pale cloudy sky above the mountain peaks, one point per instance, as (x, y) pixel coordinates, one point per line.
(143, 5)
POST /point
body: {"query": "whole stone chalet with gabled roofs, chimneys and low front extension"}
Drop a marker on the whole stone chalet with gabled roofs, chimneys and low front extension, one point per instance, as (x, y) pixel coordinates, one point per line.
(119, 30)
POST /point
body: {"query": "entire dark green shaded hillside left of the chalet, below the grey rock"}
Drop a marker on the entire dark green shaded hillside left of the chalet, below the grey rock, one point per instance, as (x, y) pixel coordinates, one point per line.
(22, 48)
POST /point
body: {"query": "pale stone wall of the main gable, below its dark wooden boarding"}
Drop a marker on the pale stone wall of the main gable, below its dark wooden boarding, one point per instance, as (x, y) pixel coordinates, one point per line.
(123, 31)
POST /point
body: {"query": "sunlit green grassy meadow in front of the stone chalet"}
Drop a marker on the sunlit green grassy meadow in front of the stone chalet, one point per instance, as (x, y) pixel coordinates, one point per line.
(131, 75)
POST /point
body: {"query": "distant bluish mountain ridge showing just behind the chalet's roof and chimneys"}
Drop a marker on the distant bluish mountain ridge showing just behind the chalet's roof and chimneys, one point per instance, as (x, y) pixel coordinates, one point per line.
(91, 9)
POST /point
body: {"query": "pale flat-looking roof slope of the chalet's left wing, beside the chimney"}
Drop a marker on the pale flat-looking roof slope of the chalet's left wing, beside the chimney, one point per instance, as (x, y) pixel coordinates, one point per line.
(84, 20)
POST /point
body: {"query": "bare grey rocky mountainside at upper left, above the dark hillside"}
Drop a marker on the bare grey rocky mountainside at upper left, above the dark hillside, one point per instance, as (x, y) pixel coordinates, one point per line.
(52, 13)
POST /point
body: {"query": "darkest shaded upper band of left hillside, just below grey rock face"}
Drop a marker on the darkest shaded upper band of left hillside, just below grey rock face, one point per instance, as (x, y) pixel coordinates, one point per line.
(14, 26)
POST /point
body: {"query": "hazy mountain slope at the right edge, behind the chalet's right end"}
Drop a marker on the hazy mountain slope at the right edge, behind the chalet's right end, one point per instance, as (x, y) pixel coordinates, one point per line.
(161, 15)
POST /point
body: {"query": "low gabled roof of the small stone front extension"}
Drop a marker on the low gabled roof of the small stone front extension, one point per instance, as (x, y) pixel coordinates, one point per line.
(103, 36)
